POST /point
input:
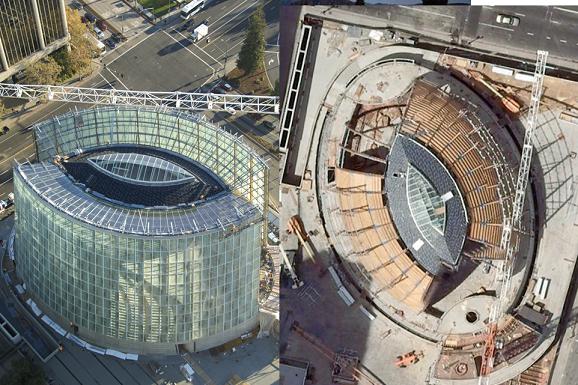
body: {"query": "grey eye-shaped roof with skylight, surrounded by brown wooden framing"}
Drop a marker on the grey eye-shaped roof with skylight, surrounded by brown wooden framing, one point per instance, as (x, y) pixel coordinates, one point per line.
(426, 205)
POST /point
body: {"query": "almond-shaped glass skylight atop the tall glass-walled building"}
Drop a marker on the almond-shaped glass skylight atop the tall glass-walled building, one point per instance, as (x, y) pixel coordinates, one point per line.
(141, 168)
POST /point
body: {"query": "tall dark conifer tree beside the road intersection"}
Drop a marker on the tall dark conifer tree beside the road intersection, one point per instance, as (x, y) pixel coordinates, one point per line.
(253, 49)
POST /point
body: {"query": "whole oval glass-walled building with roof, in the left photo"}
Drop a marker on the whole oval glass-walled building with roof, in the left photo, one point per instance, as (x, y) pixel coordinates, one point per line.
(142, 228)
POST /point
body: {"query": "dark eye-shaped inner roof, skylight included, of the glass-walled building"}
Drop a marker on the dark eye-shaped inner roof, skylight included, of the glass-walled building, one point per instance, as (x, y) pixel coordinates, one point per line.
(142, 176)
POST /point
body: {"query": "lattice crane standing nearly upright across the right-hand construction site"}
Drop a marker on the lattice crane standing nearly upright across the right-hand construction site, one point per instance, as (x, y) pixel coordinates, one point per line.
(505, 274)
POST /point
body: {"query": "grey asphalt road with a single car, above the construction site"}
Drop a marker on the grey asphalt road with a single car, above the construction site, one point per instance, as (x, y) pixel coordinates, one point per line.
(552, 28)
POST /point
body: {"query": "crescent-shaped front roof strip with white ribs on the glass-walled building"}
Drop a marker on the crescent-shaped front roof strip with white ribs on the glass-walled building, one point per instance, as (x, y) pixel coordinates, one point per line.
(64, 194)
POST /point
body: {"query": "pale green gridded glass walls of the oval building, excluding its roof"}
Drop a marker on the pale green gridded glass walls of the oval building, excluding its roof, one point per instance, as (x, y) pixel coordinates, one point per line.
(144, 289)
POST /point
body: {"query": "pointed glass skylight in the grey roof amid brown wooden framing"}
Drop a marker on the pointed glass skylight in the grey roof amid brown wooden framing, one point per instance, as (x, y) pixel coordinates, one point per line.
(427, 207)
